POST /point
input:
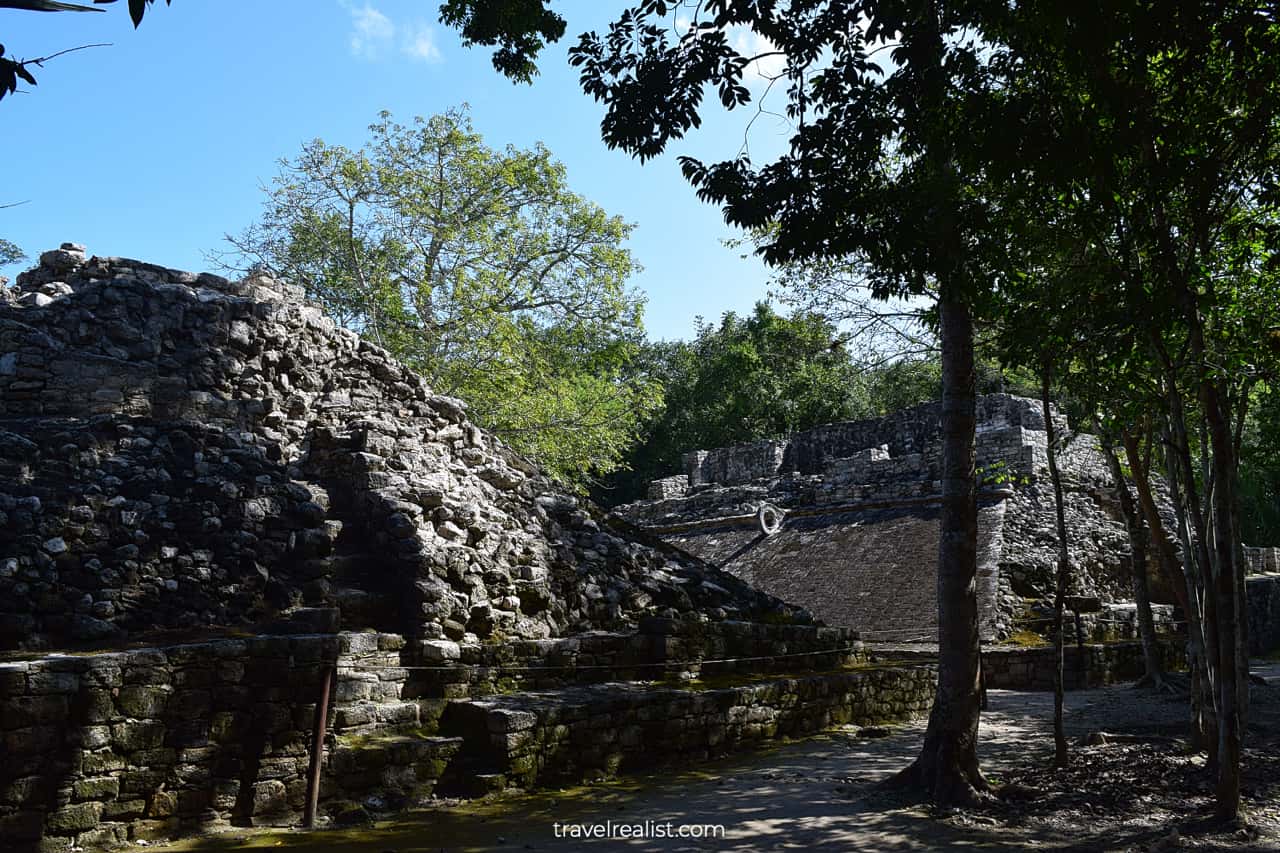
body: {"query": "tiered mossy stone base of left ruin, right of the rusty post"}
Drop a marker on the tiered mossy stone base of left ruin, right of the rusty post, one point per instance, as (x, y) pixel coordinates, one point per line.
(409, 724)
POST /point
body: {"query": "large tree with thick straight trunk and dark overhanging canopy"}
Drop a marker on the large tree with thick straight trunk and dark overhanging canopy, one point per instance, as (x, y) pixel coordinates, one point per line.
(880, 167)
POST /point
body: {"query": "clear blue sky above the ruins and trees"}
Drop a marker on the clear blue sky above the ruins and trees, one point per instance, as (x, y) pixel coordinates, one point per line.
(157, 147)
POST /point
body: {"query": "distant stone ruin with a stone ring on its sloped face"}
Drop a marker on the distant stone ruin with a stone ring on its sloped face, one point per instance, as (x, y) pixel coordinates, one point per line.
(849, 526)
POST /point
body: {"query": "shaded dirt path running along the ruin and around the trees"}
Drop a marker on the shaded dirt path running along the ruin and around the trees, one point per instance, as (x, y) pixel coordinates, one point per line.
(820, 795)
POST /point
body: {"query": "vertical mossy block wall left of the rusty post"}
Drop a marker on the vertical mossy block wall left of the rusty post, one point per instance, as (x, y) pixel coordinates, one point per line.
(100, 750)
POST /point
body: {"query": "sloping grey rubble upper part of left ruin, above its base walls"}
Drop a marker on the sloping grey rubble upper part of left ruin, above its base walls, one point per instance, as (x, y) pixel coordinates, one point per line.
(180, 450)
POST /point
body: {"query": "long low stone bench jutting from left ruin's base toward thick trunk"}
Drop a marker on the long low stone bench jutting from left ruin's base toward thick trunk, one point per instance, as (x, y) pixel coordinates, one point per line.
(595, 732)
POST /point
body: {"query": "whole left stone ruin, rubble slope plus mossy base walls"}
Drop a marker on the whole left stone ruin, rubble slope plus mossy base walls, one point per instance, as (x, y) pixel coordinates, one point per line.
(211, 498)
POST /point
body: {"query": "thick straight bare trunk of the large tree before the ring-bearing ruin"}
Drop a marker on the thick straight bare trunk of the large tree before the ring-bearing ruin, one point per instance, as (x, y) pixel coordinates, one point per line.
(948, 765)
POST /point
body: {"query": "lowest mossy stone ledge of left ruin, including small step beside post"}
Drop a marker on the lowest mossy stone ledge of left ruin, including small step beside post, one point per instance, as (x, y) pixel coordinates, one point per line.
(582, 733)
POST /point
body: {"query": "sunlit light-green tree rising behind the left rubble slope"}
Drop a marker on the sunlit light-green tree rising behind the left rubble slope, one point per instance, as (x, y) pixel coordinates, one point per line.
(479, 268)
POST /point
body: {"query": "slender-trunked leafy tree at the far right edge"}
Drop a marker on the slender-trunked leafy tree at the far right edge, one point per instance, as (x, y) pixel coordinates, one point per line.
(1159, 133)
